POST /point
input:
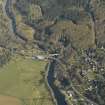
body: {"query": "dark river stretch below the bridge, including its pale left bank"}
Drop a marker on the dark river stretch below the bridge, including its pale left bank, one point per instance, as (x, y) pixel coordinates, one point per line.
(58, 97)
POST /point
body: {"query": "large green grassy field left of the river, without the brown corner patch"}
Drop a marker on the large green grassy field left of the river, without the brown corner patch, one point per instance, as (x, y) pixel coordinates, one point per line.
(23, 79)
